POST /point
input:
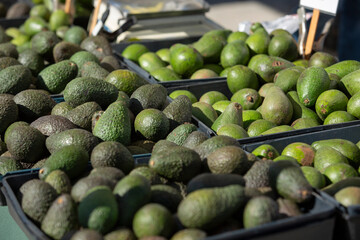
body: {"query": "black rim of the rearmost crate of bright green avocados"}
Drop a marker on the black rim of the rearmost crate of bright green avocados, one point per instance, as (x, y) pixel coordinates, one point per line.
(154, 45)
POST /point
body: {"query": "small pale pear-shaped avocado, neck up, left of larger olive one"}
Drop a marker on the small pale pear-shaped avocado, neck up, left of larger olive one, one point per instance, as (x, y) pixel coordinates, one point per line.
(232, 114)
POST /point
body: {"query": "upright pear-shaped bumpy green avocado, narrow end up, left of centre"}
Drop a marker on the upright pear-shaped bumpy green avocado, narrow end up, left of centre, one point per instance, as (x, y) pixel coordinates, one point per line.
(114, 124)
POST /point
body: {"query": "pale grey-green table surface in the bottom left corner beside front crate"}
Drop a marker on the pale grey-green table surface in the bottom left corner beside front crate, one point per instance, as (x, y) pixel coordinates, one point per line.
(8, 228)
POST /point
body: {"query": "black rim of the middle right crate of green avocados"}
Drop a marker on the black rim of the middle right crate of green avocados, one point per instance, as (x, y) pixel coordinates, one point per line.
(200, 88)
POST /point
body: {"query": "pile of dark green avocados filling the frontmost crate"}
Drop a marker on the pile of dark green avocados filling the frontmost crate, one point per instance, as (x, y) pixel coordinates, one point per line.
(193, 192)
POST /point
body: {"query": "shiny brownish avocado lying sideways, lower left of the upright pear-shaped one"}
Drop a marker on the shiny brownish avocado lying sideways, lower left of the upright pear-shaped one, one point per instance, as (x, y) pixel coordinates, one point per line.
(75, 137)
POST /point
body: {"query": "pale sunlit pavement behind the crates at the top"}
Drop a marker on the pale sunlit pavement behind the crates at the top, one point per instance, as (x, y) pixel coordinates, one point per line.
(229, 13)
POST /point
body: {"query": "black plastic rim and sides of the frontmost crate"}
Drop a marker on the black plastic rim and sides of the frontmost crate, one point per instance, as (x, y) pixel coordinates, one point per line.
(317, 224)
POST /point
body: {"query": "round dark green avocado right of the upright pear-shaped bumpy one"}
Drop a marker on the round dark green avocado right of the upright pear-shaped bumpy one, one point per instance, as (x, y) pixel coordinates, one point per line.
(151, 124)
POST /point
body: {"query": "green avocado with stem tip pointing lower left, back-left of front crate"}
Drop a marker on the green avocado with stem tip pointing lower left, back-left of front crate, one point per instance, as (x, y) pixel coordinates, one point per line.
(70, 159)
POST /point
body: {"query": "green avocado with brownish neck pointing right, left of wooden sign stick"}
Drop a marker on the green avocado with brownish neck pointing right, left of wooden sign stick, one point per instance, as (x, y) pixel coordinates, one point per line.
(267, 66)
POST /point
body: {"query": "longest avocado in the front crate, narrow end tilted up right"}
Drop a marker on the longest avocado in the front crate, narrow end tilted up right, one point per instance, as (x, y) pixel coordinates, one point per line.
(197, 211)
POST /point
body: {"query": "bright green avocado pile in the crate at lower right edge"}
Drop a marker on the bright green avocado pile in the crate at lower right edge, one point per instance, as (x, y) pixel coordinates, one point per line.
(332, 165)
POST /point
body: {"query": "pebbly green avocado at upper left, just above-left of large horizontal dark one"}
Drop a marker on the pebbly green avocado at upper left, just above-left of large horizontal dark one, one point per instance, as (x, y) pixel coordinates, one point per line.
(55, 77)
